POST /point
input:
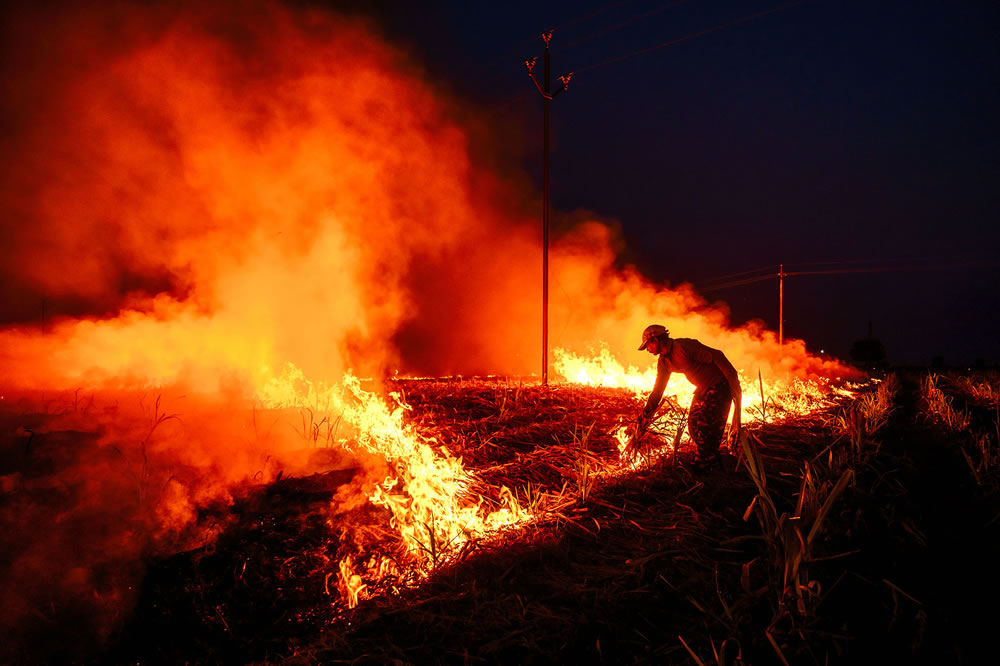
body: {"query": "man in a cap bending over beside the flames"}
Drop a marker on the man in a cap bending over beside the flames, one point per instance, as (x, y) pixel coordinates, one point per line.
(717, 387)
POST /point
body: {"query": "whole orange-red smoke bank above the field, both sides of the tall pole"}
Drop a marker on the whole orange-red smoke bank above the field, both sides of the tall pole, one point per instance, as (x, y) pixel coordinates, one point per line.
(234, 190)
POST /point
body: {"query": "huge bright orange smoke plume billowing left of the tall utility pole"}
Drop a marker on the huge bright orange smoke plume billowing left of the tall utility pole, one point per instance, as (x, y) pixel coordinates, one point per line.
(233, 193)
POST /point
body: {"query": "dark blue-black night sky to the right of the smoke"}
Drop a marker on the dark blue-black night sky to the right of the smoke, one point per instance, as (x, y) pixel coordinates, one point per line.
(820, 135)
